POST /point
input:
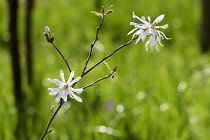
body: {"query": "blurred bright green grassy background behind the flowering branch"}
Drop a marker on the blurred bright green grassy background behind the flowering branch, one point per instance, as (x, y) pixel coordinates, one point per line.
(154, 96)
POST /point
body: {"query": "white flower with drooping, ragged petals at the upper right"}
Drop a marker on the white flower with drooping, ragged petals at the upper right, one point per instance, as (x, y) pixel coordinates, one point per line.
(146, 28)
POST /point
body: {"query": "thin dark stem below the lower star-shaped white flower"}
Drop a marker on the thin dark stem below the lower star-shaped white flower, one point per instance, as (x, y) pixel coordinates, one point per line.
(50, 121)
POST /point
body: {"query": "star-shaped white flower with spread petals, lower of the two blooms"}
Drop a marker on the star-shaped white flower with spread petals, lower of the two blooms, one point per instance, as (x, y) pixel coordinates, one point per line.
(64, 88)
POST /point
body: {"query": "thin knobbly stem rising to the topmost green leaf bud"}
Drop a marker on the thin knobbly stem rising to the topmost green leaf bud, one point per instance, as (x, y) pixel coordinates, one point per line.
(92, 44)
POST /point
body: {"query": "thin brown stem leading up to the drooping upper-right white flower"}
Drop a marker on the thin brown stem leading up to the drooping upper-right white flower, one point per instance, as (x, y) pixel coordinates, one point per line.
(122, 46)
